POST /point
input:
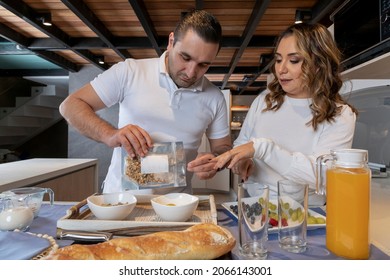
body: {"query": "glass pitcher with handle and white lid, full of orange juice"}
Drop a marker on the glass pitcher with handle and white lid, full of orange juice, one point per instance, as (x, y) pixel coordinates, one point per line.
(344, 176)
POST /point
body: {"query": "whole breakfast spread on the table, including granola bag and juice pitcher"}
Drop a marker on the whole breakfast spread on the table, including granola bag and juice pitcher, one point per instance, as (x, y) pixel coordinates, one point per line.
(139, 224)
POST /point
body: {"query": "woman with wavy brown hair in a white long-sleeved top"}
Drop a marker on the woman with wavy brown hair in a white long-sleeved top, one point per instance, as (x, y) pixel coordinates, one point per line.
(301, 117)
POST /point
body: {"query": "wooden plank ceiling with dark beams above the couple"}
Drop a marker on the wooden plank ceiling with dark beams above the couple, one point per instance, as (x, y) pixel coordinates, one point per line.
(84, 31)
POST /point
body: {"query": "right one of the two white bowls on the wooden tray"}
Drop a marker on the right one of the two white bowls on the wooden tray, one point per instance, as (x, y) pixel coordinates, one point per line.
(175, 207)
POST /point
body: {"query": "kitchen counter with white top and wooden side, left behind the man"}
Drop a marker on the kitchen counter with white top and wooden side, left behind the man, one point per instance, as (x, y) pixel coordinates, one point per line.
(70, 179)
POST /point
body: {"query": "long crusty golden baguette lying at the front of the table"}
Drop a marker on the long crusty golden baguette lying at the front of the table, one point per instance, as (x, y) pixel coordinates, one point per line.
(203, 241)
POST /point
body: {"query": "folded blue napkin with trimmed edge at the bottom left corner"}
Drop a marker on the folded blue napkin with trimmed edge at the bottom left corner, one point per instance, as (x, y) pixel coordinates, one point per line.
(21, 245)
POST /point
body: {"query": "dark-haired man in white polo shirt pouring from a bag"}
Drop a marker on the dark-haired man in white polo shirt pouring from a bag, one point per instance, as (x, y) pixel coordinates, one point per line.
(160, 99)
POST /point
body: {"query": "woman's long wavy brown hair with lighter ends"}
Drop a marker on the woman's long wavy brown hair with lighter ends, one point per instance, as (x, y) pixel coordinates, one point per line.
(320, 72)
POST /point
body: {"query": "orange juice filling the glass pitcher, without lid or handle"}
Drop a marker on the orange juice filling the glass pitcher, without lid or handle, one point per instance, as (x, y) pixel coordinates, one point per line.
(348, 212)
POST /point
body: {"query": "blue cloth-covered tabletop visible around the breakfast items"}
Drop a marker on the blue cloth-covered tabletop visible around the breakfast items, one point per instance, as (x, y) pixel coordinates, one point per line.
(25, 245)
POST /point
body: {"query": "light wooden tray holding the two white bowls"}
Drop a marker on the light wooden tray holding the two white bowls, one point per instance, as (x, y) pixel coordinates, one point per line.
(142, 220)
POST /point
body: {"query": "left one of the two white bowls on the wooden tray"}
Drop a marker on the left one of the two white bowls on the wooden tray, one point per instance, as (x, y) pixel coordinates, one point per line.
(112, 206)
